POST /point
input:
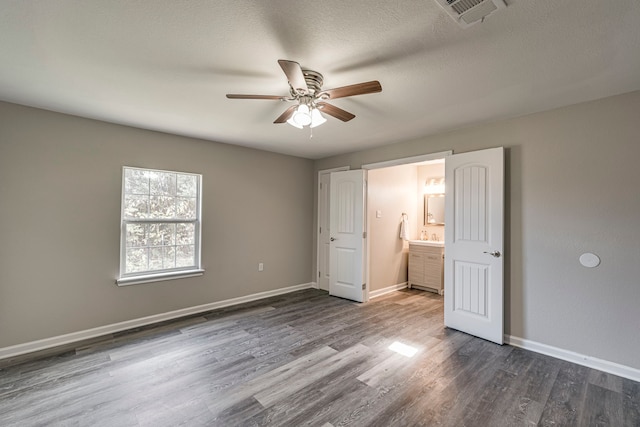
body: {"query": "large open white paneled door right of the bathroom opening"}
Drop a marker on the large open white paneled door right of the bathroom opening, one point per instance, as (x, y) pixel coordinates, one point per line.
(474, 217)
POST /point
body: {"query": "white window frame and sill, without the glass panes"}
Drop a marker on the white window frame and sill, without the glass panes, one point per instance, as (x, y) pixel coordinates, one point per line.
(148, 276)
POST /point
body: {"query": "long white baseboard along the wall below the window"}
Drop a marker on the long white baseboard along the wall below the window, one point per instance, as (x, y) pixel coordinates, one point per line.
(46, 343)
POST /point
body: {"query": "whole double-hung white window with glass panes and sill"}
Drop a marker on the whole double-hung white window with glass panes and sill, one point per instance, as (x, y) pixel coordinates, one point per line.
(160, 229)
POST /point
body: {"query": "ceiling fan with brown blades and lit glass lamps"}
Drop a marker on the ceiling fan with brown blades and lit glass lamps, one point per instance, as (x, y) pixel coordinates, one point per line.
(305, 89)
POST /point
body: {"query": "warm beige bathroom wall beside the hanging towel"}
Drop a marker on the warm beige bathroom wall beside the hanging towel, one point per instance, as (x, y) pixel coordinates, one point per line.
(391, 192)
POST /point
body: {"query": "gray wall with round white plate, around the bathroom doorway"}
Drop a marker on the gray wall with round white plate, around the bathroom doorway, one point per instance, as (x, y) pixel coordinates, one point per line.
(572, 179)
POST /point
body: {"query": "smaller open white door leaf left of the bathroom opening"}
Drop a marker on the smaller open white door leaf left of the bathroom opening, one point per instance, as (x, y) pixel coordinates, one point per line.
(346, 219)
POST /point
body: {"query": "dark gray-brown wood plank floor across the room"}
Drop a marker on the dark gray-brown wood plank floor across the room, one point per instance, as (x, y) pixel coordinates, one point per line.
(309, 359)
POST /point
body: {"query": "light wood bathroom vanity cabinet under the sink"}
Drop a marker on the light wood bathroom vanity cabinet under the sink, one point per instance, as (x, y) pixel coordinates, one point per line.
(426, 266)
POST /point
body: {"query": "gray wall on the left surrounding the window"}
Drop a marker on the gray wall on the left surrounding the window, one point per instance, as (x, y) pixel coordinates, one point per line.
(60, 189)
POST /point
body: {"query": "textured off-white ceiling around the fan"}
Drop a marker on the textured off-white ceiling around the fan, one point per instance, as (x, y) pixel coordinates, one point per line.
(167, 64)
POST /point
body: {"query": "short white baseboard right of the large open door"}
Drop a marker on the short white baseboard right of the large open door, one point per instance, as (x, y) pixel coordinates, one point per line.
(570, 356)
